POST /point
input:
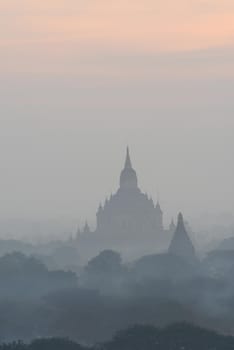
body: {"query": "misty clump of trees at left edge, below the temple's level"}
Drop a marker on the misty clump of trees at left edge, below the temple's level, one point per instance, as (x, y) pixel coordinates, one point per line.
(24, 277)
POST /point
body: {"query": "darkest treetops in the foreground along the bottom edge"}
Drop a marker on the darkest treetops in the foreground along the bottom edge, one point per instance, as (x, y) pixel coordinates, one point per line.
(175, 337)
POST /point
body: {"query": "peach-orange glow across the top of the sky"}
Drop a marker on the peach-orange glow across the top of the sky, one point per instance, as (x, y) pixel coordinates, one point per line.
(35, 34)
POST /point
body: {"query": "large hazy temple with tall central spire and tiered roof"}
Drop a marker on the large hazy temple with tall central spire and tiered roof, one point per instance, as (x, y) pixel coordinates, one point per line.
(129, 221)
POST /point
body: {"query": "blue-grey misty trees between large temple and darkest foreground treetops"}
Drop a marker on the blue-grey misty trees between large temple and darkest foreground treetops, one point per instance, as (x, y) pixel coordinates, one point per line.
(109, 295)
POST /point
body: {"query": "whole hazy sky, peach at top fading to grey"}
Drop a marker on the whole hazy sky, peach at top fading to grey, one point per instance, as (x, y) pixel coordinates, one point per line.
(82, 79)
